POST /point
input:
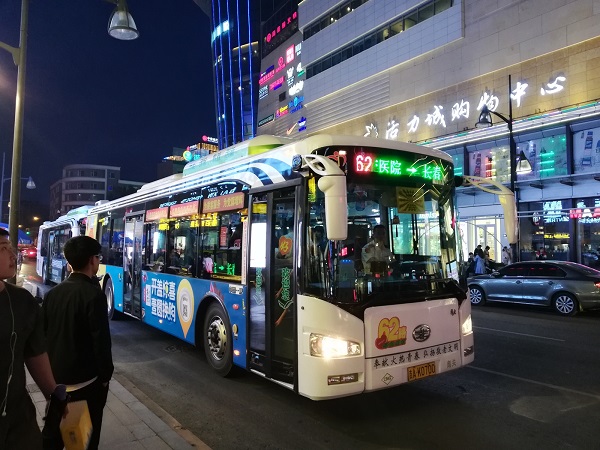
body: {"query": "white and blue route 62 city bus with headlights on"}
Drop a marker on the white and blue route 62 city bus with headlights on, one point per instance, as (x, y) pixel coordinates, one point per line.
(255, 254)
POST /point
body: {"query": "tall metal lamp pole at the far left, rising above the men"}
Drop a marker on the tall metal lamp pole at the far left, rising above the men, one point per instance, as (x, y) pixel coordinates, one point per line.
(15, 185)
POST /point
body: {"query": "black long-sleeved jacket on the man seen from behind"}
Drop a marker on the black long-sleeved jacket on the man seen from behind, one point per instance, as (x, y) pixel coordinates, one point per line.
(76, 325)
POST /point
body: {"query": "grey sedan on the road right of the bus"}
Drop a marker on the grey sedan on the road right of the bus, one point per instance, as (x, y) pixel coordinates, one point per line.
(565, 286)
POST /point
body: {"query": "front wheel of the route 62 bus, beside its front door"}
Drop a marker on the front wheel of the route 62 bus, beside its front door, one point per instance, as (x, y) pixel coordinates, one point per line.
(217, 339)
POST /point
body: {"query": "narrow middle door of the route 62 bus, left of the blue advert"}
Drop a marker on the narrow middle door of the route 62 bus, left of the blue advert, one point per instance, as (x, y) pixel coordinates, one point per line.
(132, 263)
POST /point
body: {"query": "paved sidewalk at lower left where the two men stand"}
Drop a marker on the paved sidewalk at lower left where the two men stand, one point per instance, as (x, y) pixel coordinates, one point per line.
(131, 423)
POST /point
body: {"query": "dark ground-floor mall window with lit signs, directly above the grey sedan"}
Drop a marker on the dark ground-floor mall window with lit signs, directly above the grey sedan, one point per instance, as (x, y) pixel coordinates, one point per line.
(544, 231)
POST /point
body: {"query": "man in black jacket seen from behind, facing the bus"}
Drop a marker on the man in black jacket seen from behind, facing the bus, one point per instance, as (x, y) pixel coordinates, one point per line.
(78, 336)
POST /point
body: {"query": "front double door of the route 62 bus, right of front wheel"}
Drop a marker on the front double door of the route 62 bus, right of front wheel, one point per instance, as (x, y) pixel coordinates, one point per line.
(271, 280)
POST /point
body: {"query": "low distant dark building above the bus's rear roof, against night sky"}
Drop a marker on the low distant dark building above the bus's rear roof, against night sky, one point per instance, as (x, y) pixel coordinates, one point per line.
(85, 184)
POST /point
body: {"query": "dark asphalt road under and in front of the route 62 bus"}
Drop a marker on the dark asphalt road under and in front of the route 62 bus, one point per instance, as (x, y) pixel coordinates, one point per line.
(535, 384)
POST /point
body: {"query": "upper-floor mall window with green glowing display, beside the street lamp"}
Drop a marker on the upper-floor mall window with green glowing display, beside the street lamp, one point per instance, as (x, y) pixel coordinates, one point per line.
(547, 156)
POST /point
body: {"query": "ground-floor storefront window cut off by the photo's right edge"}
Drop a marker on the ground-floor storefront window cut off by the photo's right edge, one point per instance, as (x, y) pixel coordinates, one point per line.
(587, 216)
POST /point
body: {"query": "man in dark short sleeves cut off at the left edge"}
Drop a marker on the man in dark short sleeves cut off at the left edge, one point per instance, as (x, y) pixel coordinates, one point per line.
(21, 344)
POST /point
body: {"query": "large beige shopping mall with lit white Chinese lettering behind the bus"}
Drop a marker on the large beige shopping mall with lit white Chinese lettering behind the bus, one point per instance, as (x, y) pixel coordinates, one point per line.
(423, 71)
